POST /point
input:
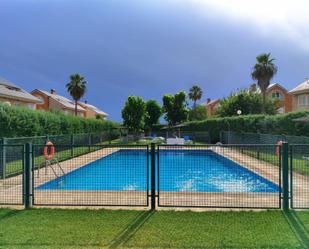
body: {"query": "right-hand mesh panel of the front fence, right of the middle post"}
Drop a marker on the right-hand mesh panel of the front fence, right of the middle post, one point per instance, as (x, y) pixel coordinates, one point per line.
(231, 176)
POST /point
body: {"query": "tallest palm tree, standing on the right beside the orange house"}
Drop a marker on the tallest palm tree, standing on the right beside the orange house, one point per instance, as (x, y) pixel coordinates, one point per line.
(263, 71)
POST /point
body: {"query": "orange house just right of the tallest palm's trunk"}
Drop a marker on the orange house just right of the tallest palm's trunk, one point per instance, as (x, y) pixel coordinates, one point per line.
(284, 98)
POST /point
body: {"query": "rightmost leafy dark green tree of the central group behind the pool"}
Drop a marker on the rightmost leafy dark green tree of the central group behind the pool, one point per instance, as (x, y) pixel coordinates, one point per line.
(175, 108)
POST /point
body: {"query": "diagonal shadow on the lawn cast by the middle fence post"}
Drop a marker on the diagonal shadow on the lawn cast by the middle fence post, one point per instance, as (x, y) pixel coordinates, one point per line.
(131, 229)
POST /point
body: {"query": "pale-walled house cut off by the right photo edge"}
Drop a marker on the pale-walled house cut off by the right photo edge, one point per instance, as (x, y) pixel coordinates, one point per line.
(300, 96)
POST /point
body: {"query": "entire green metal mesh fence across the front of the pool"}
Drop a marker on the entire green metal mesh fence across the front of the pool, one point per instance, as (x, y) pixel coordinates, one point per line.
(168, 175)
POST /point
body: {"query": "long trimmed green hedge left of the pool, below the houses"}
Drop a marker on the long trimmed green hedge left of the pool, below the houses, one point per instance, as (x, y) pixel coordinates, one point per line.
(21, 121)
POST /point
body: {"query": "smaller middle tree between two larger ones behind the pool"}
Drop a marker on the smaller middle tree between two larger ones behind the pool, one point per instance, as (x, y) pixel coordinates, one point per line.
(153, 114)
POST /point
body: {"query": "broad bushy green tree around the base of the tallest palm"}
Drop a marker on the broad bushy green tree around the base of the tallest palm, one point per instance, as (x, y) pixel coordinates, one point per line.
(248, 102)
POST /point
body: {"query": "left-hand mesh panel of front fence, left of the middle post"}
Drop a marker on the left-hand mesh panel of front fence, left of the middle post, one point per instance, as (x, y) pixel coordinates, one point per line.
(96, 175)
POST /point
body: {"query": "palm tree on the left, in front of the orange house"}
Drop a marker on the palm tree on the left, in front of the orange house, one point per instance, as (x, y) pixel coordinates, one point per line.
(77, 88)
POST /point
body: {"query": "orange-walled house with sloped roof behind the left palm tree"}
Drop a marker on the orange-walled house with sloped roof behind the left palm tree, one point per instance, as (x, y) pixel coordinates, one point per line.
(52, 101)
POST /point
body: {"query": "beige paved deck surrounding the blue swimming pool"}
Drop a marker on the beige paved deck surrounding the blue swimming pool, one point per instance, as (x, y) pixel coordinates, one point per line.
(11, 188)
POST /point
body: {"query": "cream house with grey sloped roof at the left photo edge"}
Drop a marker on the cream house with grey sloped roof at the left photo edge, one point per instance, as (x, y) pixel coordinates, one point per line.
(14, 95)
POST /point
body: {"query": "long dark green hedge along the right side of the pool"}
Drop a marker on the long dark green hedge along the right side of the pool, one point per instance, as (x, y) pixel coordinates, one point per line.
(274, 124)
